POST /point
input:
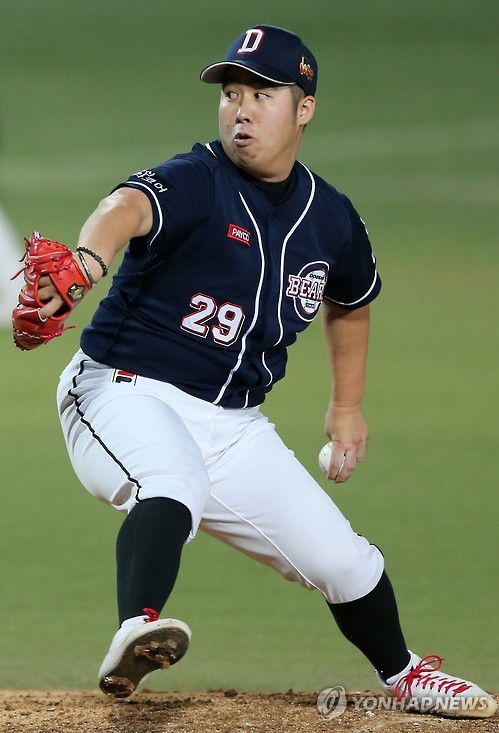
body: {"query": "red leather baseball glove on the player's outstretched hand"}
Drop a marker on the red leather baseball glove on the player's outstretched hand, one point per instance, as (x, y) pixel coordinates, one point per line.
(55, 260)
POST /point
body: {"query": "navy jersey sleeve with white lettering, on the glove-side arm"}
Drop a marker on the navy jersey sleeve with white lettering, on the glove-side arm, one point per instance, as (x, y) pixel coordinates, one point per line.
(181, 195)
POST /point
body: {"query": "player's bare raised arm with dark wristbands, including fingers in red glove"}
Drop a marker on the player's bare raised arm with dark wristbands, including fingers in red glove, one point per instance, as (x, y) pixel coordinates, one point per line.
(121, 216)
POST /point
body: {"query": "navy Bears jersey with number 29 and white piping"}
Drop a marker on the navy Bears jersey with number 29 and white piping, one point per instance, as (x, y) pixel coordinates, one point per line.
(211, 299)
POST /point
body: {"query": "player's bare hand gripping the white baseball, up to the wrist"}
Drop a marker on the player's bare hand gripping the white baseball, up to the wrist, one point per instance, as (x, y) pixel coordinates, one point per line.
(348, 432)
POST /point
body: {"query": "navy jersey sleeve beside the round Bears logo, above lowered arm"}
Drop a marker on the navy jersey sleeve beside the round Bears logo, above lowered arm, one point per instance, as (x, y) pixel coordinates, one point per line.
(355, 281)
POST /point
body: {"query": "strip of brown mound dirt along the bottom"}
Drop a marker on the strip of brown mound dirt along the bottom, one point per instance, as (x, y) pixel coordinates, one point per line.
(213, 712)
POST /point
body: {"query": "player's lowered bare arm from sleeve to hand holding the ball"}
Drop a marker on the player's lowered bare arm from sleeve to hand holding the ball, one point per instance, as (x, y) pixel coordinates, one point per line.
(346, 333)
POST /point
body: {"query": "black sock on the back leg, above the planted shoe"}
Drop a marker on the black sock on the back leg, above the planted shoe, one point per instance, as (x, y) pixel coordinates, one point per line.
(372, 624)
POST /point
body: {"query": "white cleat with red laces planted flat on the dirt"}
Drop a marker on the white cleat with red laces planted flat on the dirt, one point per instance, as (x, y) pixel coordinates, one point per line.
(421, 687)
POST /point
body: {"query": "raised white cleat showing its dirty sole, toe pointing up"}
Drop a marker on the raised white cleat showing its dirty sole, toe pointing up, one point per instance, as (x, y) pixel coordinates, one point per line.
(142, 645)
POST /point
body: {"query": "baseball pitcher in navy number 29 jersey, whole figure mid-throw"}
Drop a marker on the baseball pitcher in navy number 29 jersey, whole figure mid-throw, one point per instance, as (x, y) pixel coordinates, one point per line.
(230, 250)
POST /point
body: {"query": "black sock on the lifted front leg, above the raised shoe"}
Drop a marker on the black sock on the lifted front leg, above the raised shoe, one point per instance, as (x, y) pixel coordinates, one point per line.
(148, 551)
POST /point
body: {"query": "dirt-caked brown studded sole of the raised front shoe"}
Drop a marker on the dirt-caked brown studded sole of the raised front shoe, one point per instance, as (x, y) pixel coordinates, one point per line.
(157, 649)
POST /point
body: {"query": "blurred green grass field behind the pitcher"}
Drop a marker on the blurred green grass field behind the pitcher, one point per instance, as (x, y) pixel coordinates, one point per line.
(408, 125)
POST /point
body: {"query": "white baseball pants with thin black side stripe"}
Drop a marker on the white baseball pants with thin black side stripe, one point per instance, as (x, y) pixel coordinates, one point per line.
(131, 438)
